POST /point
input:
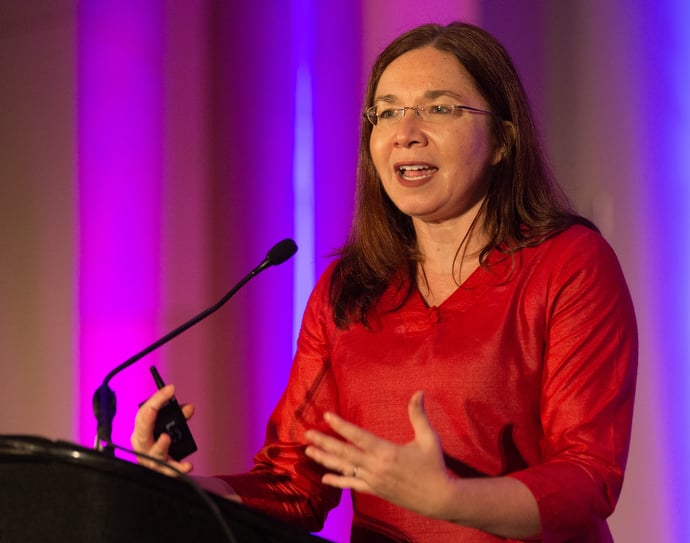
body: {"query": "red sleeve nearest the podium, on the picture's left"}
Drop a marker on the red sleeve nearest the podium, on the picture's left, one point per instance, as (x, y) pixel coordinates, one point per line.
(284, 483)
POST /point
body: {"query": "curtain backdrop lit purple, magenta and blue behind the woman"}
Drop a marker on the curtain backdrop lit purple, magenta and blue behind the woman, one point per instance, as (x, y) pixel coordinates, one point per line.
(152, 152)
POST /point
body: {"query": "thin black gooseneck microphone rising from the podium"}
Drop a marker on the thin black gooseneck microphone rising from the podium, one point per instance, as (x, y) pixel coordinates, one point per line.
(104, 402)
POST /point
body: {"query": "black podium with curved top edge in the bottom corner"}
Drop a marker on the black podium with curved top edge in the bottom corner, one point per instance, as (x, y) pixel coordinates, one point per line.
(53, 491)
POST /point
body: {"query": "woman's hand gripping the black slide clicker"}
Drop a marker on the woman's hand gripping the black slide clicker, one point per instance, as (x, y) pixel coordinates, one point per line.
(142, 437)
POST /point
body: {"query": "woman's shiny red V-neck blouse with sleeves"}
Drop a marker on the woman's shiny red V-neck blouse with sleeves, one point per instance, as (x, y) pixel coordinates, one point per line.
(528, 370)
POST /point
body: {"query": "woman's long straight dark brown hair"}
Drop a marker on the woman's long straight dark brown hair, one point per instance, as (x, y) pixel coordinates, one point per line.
(523, 207)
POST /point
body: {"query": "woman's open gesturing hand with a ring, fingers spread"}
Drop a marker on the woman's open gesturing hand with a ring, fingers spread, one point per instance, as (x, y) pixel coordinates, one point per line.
(412, 475)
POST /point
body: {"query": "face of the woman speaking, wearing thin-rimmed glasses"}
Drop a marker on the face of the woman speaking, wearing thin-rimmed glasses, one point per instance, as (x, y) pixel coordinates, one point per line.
(433, 171)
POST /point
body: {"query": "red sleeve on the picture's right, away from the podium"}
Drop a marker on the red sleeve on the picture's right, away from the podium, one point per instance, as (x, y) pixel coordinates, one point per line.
(588, 385)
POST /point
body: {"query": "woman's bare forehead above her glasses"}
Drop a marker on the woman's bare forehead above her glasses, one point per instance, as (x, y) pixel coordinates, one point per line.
(420, 71)
